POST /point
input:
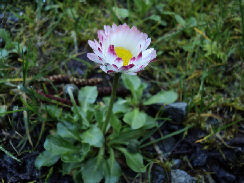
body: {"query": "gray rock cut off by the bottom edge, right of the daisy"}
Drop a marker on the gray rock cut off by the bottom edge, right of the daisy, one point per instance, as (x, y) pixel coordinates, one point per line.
(180, 176)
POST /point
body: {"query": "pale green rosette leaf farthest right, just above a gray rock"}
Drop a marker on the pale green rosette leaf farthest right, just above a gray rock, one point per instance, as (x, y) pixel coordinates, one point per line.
(163, 97)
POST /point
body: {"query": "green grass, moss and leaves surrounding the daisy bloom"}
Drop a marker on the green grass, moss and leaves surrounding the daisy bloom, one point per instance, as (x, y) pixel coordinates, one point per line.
(200, 53)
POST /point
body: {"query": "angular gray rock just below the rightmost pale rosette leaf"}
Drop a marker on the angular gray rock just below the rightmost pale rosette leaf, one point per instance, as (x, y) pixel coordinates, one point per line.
(176, 111)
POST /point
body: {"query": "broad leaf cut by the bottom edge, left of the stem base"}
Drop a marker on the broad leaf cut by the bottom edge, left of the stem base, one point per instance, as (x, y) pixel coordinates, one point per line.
(92, 173)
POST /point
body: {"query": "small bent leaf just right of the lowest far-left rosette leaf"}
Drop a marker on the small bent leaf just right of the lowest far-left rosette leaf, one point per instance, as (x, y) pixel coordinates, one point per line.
(76, 157)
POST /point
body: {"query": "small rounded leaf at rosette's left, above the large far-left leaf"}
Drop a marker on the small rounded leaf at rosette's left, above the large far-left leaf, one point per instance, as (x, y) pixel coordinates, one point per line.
(67, 130)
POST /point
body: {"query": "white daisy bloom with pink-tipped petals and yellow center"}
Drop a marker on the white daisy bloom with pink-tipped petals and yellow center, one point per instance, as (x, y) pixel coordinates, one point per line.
(121, 49)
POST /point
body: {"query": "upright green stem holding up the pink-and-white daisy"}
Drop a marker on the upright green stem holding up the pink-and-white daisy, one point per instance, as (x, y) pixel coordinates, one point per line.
(113, 96)
